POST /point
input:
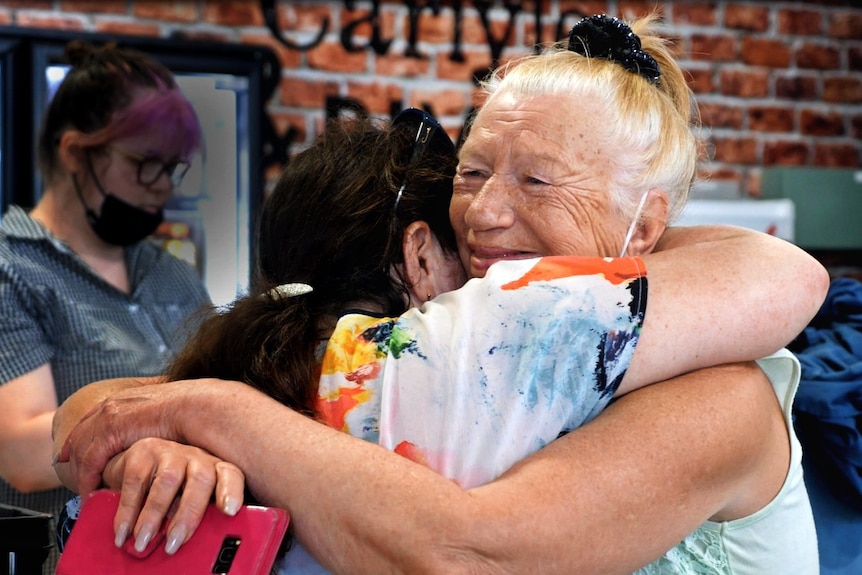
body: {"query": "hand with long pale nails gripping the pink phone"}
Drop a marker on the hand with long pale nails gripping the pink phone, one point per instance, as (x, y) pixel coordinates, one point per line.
(160, 478)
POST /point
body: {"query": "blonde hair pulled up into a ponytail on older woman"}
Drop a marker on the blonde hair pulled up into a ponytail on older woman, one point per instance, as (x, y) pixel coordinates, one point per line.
(652, 124)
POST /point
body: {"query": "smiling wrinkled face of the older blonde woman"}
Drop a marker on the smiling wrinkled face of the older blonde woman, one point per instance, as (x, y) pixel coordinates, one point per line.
(533, 181)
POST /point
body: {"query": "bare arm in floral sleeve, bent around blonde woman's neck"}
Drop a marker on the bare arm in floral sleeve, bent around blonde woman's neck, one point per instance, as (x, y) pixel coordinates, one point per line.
(720, 294)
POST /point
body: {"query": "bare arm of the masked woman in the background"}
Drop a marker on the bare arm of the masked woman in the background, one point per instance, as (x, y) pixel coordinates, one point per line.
(28, 404)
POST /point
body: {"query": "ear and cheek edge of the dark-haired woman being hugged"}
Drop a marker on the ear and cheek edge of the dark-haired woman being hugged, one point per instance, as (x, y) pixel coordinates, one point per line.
(428, 268)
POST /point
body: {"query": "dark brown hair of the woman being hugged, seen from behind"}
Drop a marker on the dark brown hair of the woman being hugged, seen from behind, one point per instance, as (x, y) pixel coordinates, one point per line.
(331, 223)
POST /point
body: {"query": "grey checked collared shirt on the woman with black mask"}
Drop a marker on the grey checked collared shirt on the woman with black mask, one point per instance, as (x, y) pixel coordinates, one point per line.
(54, 309)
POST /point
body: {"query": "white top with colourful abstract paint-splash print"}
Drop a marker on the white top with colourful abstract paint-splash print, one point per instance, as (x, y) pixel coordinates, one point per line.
(478, 378)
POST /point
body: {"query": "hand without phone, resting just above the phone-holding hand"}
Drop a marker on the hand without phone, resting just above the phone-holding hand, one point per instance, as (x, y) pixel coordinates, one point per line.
(106, 430)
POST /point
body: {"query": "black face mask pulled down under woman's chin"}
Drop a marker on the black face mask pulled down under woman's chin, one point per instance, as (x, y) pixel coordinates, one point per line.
(120, 223)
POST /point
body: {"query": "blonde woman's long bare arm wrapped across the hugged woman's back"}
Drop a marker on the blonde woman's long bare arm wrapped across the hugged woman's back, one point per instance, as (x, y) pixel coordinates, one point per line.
(564, 509)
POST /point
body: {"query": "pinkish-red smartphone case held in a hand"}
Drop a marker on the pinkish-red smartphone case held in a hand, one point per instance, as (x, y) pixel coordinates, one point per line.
(245, 544)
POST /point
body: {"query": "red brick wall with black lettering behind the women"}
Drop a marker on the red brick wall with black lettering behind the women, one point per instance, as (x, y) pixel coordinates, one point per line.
(778, 83)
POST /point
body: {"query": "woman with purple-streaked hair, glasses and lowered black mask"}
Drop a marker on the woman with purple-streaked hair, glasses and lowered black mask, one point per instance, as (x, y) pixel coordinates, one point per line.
(82, 295)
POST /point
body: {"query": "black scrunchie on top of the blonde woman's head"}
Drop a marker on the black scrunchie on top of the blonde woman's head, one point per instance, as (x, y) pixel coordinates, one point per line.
(610, 38)
